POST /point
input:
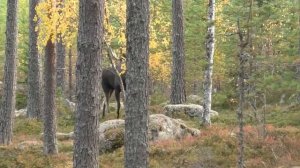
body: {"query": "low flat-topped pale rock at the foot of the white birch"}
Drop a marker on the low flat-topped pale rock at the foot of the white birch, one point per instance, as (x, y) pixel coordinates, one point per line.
(191, 110)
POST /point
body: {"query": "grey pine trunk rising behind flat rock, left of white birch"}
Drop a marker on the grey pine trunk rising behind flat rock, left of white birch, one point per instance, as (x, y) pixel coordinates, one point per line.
(177, 85)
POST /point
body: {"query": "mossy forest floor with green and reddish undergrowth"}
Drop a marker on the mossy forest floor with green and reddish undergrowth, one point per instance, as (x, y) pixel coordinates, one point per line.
(216, 147)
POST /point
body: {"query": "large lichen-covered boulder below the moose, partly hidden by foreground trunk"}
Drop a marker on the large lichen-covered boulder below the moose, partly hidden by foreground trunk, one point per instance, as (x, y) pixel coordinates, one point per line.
(111, 133)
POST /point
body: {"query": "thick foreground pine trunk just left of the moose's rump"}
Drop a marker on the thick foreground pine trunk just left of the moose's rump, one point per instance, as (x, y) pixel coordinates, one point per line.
(88, 73)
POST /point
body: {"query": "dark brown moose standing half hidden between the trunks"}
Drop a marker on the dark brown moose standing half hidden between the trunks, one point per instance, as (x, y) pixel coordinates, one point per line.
(111, 82)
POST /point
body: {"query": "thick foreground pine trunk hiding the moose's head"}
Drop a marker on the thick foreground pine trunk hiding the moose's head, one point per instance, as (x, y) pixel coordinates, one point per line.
(137, 60)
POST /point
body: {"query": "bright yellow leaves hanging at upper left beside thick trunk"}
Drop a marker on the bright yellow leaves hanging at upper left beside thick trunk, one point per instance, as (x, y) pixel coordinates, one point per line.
(57, 19)
